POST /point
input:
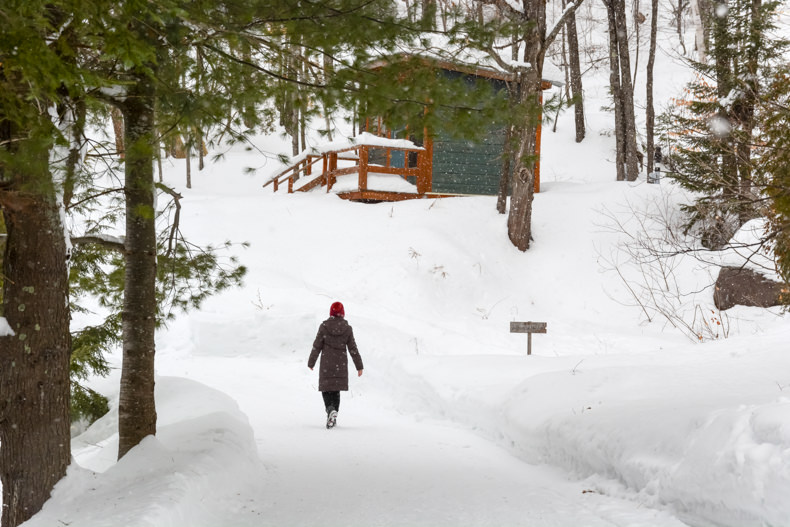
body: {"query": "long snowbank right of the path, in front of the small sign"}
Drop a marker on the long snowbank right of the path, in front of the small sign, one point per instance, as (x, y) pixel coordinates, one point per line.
(705, 435)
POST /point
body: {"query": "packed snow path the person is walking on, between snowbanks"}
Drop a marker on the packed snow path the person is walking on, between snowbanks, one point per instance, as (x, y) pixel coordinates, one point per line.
(383, 468)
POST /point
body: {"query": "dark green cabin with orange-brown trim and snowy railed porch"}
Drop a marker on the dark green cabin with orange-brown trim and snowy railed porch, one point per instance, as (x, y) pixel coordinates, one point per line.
(376, 167)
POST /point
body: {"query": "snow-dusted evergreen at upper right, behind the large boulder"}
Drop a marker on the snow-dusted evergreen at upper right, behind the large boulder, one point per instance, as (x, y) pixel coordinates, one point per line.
(717, 127)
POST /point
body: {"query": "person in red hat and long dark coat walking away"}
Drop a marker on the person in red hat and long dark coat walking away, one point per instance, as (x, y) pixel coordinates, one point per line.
(334, 337)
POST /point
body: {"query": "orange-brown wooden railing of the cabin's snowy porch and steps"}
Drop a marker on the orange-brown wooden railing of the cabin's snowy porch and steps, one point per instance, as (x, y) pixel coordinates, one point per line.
(360, 155)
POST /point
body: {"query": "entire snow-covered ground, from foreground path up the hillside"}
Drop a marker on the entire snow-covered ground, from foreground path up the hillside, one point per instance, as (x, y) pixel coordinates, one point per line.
(613, 420)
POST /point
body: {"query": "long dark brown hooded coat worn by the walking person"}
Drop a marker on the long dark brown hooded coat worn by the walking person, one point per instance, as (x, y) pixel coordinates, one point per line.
(334, 336)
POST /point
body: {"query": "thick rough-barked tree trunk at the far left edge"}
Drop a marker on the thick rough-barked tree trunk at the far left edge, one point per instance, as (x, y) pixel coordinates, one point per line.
(34, 361)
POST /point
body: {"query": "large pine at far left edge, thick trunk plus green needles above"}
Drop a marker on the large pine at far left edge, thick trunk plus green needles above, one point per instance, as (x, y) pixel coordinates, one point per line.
(37, 74)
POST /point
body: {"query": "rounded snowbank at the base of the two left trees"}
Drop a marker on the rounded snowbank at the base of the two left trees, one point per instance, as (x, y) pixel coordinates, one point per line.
(189, 474)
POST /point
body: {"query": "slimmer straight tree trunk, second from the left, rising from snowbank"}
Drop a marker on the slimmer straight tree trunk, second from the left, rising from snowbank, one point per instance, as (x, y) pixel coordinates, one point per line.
(137, 408)
